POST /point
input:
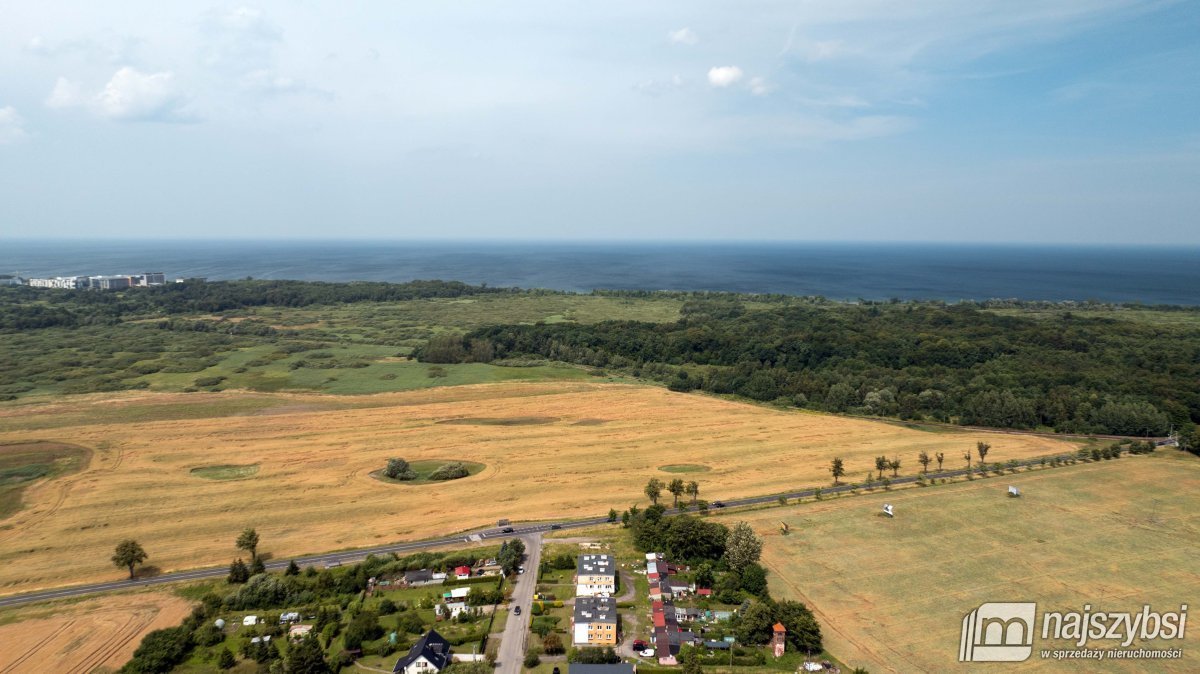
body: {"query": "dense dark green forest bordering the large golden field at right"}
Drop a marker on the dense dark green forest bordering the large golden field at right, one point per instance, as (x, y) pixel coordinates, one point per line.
(913, 362)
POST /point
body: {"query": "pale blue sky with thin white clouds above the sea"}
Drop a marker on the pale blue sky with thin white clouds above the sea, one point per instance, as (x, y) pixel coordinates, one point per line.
(940, 121)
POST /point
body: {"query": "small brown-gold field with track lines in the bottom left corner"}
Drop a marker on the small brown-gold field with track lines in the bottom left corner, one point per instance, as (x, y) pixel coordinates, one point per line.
(83, 637)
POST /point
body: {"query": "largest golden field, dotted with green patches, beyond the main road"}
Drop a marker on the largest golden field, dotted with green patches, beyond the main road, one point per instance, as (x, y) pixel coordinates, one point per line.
(551, 450)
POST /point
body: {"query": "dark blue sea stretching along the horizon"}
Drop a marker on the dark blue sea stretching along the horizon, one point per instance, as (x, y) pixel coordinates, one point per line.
(839, 272)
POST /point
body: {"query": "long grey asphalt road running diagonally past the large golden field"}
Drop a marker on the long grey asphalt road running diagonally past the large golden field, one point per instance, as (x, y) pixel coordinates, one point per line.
(460, 539)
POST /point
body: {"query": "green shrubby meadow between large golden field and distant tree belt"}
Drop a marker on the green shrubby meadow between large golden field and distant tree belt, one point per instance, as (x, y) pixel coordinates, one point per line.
(353, 348)
